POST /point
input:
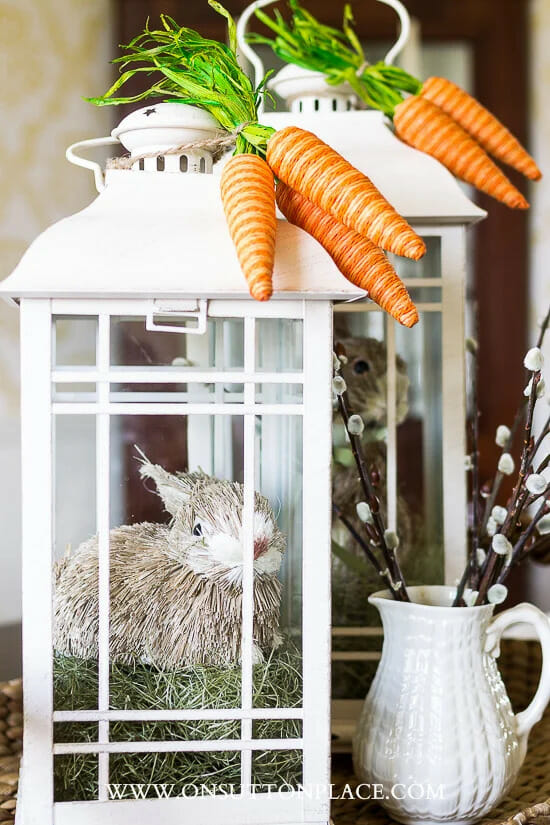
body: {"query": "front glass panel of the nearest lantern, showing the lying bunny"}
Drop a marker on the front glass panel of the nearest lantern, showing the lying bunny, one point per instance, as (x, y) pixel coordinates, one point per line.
(137, 411)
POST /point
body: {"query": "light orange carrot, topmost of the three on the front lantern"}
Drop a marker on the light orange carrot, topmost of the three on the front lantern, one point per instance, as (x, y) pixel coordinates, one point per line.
(306, 164)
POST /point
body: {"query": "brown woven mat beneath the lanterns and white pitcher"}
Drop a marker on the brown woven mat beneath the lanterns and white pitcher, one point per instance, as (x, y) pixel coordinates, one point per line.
(520, 664)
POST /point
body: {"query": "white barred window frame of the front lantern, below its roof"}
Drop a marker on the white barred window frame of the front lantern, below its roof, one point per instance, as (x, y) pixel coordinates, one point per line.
(39, 410)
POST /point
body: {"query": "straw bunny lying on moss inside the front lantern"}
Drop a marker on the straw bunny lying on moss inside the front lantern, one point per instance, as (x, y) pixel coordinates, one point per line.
(176, 589)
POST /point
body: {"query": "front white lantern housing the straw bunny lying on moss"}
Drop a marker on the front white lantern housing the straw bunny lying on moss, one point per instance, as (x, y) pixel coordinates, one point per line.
(249, 385)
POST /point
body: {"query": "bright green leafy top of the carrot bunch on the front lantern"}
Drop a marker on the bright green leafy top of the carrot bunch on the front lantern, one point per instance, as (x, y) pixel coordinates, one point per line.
(188, 68)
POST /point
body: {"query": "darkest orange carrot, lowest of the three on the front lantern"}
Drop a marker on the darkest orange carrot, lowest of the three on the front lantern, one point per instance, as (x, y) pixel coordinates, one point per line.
(357, 258)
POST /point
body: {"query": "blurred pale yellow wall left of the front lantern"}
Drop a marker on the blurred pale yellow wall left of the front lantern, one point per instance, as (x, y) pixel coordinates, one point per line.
(52, 52)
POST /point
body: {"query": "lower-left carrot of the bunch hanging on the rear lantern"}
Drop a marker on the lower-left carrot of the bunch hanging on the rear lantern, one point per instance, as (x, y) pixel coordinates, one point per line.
(422, 124)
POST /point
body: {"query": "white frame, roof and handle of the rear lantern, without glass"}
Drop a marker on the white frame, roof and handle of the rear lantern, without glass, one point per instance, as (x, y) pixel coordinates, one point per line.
(429, 198)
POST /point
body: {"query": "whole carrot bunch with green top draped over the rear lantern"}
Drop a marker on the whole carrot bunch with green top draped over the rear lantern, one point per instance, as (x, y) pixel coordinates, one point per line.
(337, 53)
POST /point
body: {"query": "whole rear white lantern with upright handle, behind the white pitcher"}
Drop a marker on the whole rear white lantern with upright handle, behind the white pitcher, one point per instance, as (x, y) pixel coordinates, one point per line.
(424, 457)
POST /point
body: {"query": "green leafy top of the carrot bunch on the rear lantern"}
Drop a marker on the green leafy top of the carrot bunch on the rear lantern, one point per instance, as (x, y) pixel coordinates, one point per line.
(338, 54)
